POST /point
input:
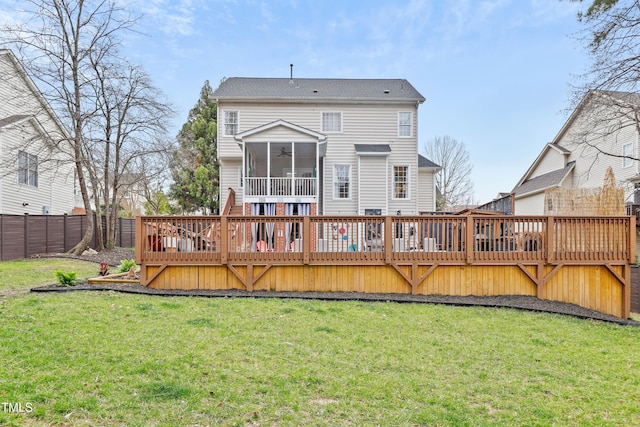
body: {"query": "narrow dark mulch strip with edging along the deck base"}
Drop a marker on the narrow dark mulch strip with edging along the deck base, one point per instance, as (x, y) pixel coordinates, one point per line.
(508, 301)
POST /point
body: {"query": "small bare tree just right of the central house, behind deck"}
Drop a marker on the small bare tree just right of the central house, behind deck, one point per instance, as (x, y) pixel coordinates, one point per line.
(454, 180)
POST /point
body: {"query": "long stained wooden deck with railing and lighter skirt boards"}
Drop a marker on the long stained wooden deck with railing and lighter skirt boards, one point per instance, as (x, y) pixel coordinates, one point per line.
(584, 261)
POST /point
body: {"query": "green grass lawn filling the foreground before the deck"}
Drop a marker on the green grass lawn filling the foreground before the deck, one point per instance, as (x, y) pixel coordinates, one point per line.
(103, 358)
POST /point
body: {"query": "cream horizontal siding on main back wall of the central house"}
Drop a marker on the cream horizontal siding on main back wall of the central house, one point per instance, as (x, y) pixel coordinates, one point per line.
(361, 124)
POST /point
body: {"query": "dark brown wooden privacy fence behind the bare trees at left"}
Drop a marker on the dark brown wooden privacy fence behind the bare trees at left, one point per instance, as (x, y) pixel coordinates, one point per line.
(22, 236)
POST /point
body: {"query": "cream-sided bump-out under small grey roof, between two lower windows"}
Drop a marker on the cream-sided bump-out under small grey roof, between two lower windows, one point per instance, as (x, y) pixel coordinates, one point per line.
(373, 182)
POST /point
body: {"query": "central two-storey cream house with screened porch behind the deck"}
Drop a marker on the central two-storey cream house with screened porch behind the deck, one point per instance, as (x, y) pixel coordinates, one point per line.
(322, 147)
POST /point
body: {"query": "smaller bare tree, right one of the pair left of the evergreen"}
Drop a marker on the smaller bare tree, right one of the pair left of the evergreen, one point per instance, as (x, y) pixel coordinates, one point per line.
(130, 131)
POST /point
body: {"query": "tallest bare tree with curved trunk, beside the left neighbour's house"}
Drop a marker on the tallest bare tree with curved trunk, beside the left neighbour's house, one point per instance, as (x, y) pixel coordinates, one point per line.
(57, 44)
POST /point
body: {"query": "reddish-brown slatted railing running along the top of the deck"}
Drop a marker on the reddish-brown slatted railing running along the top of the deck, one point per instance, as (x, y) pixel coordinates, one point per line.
(388, 239)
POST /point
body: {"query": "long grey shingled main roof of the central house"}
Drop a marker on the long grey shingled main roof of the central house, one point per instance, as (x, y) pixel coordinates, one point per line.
(248, 88)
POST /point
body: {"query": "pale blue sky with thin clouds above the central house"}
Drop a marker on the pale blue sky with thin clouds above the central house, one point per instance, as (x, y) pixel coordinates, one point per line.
(496, 74)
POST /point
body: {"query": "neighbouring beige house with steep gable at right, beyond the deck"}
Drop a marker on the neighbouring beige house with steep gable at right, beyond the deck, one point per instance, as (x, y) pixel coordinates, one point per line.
(600, 133)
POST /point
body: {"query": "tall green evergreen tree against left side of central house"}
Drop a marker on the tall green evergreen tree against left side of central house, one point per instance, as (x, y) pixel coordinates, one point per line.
(194, 166)
